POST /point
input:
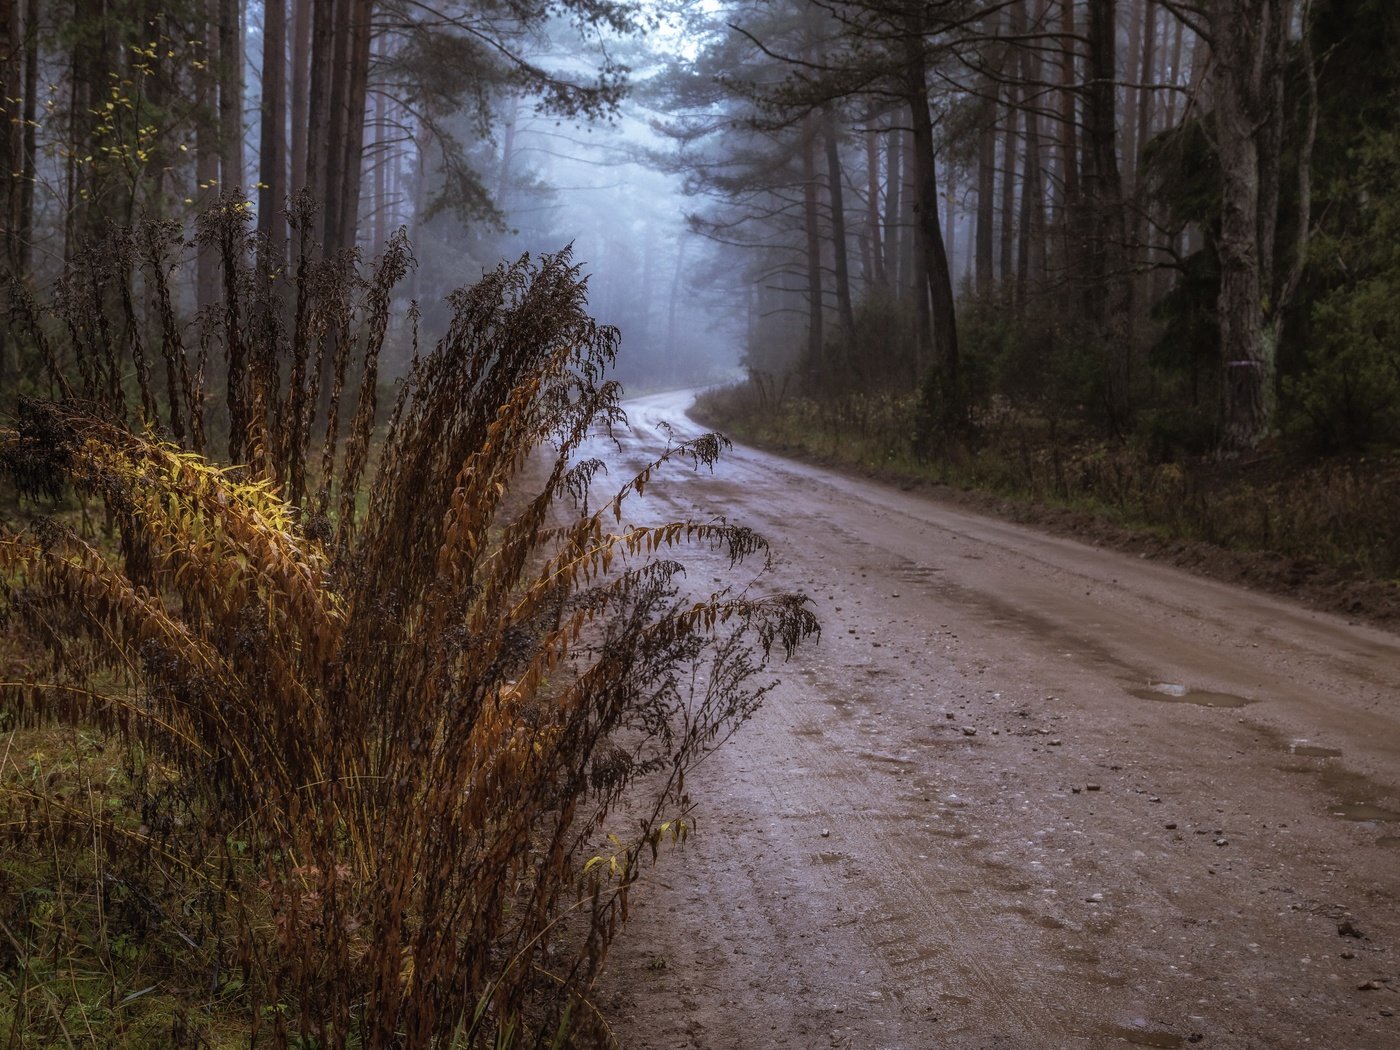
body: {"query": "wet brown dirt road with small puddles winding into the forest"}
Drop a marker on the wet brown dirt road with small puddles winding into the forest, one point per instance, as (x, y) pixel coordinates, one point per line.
(1024, 793)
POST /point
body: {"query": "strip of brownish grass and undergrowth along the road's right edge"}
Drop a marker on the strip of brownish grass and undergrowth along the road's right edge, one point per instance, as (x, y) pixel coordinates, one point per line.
(1321, 527)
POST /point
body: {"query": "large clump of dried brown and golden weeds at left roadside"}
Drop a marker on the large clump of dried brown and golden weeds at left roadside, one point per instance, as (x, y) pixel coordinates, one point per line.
(390, 688)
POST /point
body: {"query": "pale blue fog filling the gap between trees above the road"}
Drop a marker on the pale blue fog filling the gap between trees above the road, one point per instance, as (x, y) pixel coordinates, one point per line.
(603, 188)
